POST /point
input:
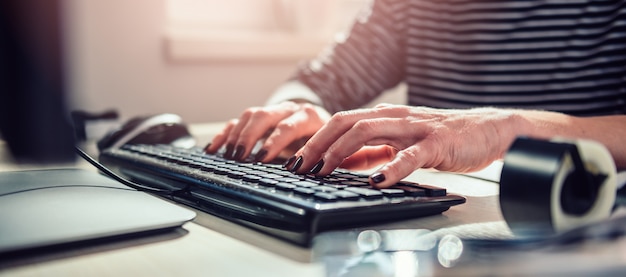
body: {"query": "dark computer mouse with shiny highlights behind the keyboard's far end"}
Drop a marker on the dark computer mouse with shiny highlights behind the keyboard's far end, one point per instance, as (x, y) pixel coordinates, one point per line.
(154, 129)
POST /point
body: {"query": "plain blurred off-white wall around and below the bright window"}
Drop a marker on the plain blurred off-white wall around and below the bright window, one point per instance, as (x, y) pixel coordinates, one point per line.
(117, 53)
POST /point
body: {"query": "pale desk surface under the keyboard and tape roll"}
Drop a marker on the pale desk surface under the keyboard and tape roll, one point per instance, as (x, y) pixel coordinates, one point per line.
(210, 246)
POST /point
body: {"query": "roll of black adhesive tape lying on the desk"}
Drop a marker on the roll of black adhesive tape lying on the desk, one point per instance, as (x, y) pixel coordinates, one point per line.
(547, 187)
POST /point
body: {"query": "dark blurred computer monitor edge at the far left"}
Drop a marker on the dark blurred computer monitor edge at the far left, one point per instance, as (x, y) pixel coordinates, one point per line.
(33, 111)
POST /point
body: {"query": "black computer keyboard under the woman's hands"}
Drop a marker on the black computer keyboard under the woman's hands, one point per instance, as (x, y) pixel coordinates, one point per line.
(271, 199)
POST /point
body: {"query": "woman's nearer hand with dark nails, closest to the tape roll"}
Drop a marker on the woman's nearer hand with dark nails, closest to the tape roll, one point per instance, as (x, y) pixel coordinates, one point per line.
(407, 138)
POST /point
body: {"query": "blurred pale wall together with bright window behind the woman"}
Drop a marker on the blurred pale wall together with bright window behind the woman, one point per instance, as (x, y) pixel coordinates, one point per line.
(205, 60)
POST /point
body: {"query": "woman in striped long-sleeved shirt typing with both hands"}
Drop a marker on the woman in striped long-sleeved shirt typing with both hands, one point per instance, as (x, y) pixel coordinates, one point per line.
(479, 74)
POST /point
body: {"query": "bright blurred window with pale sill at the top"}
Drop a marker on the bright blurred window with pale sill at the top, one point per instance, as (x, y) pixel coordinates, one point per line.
(253, 29)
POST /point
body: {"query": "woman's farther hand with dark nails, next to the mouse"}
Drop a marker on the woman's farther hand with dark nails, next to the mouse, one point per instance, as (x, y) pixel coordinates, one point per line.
(278, 127)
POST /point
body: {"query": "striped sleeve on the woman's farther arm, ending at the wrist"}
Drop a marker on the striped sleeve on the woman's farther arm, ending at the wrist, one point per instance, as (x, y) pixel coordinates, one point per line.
(360, 65)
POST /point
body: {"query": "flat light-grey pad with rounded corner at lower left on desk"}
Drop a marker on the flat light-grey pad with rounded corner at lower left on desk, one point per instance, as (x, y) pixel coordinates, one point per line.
(48, 207)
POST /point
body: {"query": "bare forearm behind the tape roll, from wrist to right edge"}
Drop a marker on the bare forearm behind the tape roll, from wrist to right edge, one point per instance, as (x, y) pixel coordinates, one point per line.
(608, 130)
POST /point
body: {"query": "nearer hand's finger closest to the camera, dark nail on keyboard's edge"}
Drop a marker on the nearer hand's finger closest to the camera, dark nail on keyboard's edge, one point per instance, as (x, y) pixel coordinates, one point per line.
(405, 162)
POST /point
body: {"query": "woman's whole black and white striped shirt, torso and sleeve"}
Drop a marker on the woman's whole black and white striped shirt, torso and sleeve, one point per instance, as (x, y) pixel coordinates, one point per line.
(567, 56)
